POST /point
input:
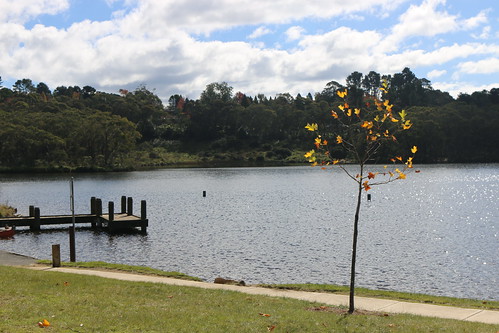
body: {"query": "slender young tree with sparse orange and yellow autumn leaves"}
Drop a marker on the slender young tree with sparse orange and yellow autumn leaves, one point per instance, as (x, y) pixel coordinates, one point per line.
(359, 133)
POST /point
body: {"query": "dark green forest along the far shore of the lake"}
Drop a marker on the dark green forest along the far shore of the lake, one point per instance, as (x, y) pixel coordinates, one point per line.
(81, 129)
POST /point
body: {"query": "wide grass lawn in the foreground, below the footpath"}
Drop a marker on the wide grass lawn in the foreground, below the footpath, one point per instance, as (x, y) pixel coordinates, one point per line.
(78, 303)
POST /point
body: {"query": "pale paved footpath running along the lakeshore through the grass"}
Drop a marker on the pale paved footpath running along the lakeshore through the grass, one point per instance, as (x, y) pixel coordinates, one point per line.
(365, 303)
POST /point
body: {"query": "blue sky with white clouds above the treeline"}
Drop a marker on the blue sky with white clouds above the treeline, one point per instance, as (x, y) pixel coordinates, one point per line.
(257, 46)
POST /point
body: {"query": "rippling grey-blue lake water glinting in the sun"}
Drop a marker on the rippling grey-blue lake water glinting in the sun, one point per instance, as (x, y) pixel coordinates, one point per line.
(436, 232)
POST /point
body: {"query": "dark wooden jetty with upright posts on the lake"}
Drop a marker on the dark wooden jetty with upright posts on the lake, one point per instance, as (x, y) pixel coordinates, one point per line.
(112, 221)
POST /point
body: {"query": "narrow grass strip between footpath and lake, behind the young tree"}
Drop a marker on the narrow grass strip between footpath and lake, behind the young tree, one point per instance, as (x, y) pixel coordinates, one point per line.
(408, 297)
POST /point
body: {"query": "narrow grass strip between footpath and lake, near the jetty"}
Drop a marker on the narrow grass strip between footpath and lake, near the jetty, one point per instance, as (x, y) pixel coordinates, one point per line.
(123, 268)
